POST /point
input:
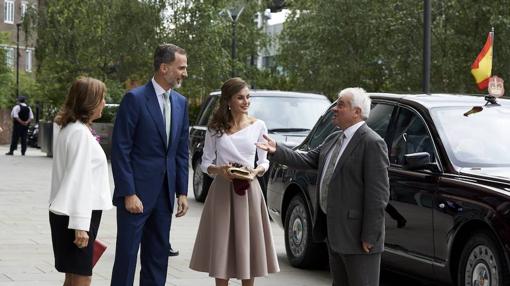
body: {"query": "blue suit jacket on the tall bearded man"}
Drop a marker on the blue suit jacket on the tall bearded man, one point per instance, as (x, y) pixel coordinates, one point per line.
(140, 158)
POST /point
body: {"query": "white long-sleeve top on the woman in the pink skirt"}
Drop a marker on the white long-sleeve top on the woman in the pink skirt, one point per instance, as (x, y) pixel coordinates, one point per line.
(238, 147)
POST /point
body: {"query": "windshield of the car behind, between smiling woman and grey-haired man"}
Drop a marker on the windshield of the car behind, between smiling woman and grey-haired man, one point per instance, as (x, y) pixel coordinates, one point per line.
(288, 113)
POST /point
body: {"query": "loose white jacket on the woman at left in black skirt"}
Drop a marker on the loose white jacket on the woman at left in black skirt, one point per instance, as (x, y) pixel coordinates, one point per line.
(80, 180)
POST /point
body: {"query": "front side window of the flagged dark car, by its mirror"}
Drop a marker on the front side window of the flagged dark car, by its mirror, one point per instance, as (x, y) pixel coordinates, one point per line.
(411, 136)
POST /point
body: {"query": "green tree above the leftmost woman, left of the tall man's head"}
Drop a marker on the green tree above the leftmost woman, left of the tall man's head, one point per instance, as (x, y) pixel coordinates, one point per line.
(109, 40)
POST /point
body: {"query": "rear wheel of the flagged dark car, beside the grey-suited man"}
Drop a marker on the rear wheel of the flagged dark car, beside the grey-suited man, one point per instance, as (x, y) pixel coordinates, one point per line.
(302, 252)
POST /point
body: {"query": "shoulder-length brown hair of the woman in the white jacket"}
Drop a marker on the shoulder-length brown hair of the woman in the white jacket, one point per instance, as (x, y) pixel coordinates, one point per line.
(84, 97)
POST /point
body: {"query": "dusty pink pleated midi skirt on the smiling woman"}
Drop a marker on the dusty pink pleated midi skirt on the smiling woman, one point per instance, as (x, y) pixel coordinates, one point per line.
(234, 237)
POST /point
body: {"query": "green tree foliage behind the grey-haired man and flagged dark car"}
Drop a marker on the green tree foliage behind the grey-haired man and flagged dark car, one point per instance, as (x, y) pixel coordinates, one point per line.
(331, 44)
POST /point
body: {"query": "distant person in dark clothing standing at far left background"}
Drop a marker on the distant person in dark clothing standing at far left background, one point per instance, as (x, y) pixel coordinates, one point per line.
(21, 116)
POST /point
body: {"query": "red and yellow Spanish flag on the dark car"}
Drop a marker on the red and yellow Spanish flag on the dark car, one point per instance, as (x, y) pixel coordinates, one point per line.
(482, 66)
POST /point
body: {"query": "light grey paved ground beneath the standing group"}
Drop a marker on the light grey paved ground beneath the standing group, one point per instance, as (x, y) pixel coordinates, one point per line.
(26, 256)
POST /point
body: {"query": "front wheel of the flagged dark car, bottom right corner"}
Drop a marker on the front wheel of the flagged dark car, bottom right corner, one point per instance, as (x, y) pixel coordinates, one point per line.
(482, 263)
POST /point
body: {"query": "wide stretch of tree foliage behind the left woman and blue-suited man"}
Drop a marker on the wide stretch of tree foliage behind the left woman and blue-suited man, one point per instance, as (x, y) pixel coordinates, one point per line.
(115, 40)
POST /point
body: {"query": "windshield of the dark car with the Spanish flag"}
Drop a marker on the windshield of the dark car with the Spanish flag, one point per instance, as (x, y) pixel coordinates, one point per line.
(480, 139)
